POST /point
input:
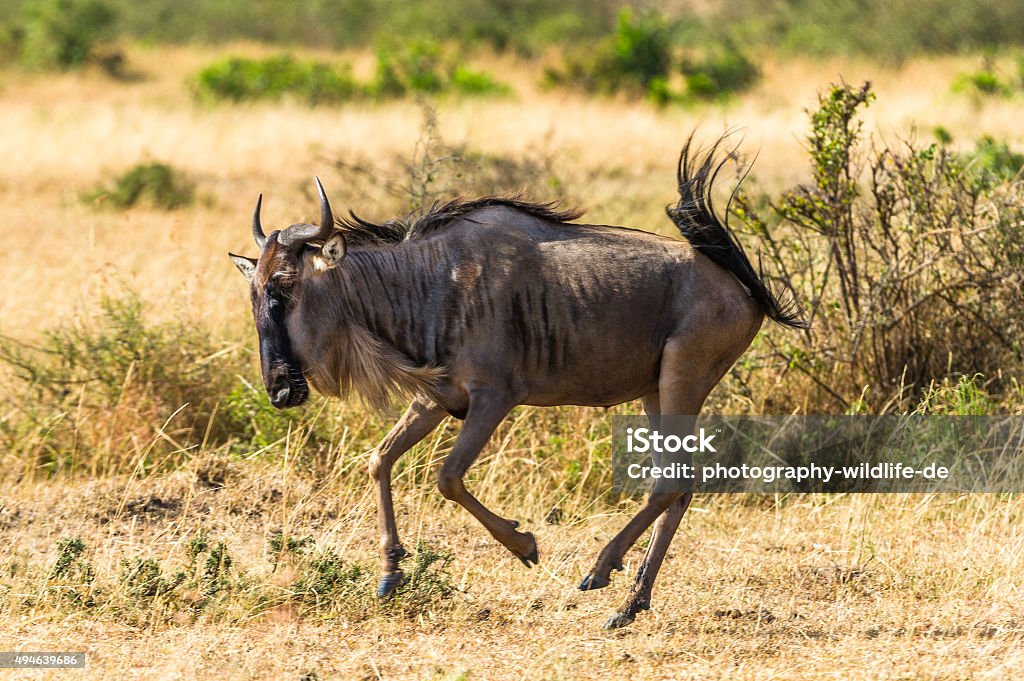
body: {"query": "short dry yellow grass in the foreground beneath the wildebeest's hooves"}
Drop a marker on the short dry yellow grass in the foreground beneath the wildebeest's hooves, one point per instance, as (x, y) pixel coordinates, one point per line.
(810, 587)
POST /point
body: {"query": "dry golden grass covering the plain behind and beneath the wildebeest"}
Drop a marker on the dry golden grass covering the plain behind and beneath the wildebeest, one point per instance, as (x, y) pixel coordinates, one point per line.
(807, 587)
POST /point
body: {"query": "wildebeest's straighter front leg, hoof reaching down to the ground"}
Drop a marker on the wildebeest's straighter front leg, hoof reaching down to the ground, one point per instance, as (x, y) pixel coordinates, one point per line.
(418, 421)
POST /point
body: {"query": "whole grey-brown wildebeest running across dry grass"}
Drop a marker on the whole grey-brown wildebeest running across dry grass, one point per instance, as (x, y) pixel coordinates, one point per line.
(480, 306)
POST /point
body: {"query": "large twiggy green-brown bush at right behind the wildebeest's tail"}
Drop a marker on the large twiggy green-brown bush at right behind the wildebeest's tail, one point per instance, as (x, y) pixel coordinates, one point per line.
(908, 277)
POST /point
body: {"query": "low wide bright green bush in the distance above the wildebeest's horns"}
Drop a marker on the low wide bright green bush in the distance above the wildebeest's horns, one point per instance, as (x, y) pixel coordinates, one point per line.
(239, 79)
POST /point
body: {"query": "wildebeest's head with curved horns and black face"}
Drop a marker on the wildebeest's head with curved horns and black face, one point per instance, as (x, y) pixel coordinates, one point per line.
(276, 281)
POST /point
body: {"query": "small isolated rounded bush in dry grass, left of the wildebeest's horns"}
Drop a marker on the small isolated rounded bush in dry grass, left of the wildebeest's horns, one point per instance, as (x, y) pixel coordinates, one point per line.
(154, 184)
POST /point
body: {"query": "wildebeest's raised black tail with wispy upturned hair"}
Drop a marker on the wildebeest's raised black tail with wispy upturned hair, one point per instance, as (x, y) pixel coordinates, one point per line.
(695, 216)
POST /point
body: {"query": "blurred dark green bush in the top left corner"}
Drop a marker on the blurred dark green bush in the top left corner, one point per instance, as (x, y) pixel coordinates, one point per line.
(61, 34)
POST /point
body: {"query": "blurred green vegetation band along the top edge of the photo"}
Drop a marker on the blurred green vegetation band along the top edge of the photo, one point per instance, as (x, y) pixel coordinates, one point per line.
(877, 28)
